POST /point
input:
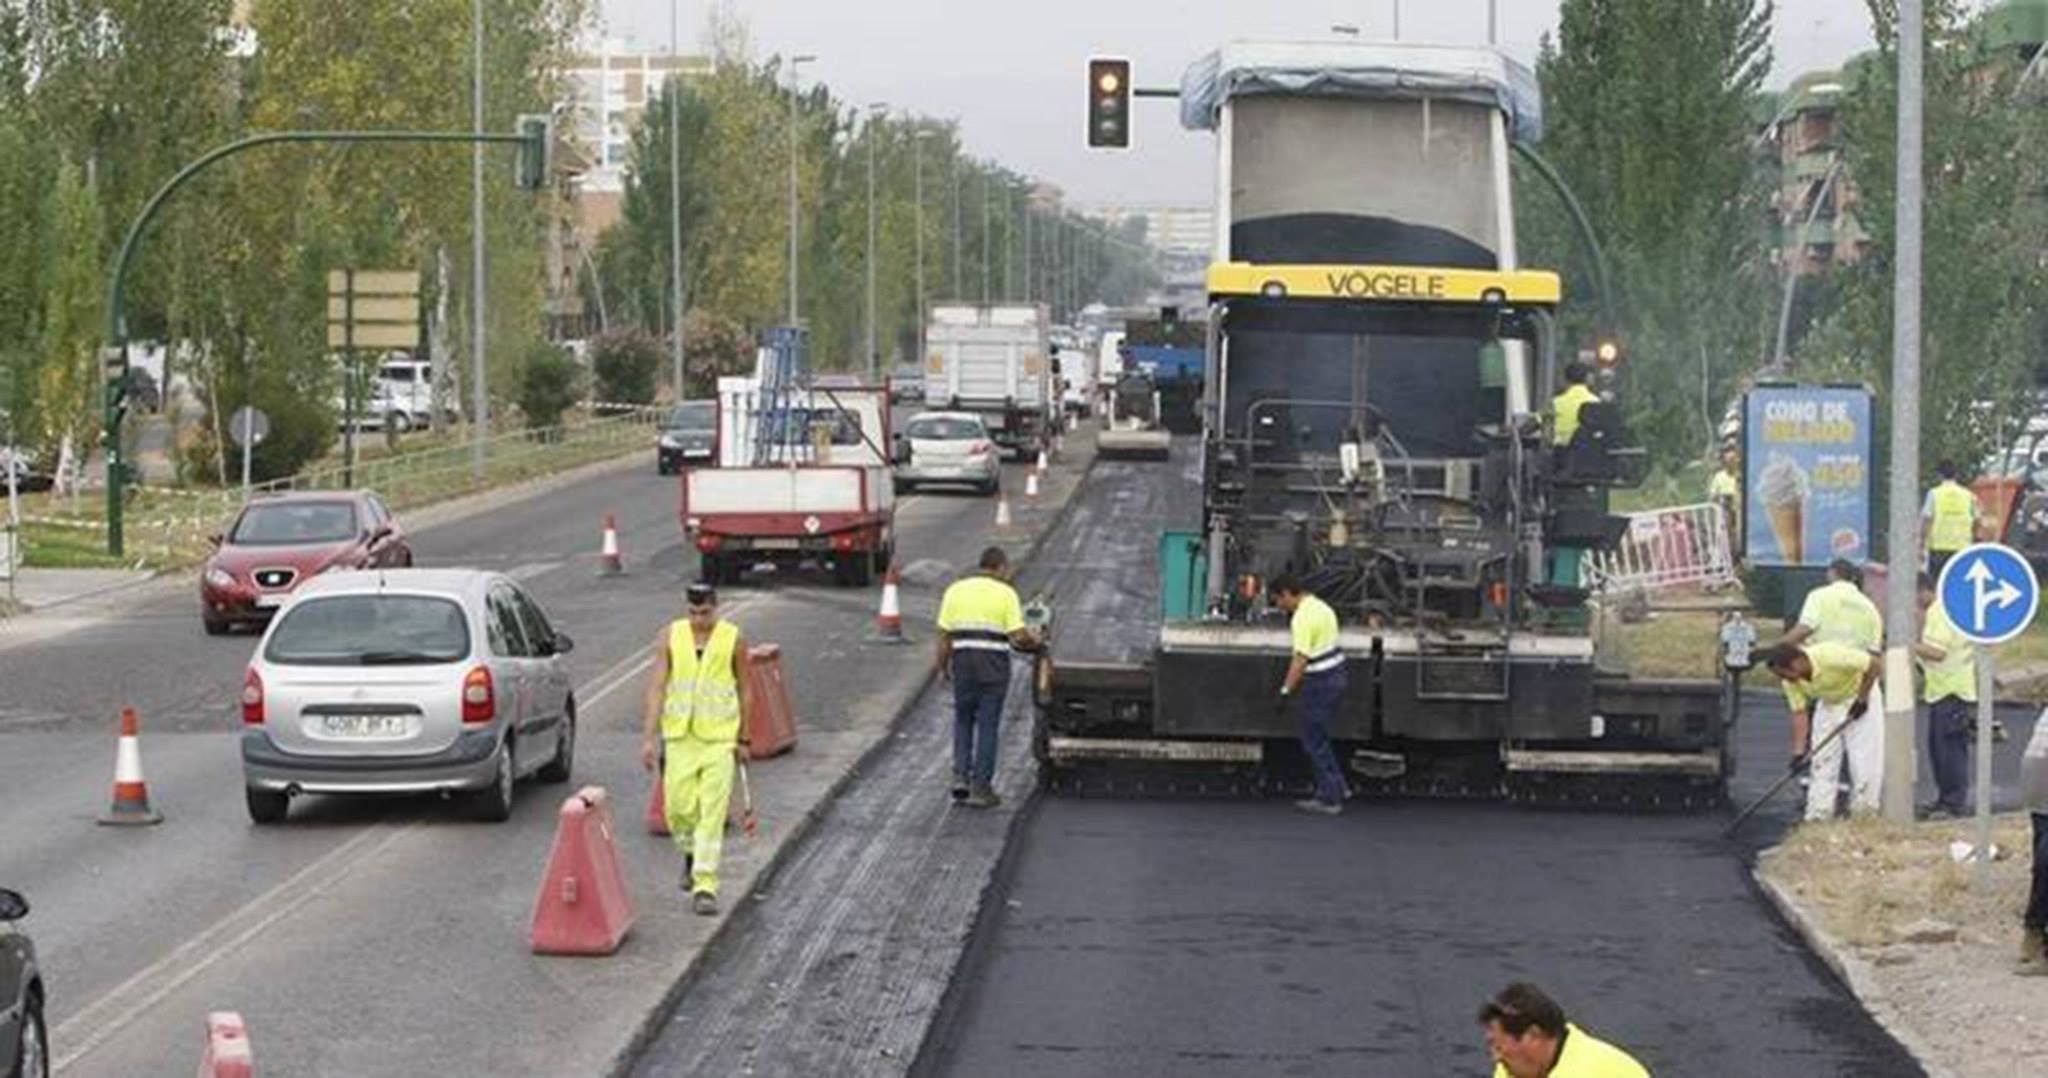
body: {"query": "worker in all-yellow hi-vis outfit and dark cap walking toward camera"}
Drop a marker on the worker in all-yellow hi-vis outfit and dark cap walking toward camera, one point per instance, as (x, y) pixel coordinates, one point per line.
(693, 727)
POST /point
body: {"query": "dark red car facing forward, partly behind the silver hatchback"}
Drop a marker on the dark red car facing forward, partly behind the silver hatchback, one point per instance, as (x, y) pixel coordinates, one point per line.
(286, 540)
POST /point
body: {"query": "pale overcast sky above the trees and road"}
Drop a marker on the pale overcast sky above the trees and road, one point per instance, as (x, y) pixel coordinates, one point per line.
(1013, 73)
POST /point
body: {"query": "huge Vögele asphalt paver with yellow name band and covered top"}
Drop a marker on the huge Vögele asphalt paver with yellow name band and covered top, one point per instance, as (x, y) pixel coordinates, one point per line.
(1377, 368)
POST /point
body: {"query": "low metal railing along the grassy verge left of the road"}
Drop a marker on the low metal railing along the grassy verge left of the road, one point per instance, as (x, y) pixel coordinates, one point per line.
(171, 524)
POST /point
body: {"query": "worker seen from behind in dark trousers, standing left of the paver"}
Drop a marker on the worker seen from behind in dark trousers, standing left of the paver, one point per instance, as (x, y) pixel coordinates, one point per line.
(980, 620)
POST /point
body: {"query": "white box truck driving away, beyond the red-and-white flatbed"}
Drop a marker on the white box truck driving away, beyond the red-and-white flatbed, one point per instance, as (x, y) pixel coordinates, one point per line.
(994, 360)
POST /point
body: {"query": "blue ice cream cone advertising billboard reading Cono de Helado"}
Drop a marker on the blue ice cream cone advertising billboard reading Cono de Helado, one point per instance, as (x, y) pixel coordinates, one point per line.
(1805, 474)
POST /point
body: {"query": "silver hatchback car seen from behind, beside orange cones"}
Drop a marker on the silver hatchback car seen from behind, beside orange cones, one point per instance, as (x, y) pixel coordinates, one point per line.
(407, 681)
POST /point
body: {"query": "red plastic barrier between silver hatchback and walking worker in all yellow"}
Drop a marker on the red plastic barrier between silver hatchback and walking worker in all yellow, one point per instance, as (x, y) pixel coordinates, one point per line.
(583, 907)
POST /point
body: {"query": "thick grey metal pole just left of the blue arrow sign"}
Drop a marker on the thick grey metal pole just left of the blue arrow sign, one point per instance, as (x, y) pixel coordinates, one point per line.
(1902, 753)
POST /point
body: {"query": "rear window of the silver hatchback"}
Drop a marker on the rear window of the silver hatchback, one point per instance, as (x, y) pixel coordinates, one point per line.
(372, 630)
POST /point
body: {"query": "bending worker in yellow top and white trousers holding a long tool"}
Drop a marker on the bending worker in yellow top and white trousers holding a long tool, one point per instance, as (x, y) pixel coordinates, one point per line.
(1840, 683)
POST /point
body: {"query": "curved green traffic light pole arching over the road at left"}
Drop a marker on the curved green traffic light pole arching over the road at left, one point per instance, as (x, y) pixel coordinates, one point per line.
(116, 356)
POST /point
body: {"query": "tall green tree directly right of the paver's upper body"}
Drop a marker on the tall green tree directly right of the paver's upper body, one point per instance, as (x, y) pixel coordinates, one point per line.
(1648, 110)
